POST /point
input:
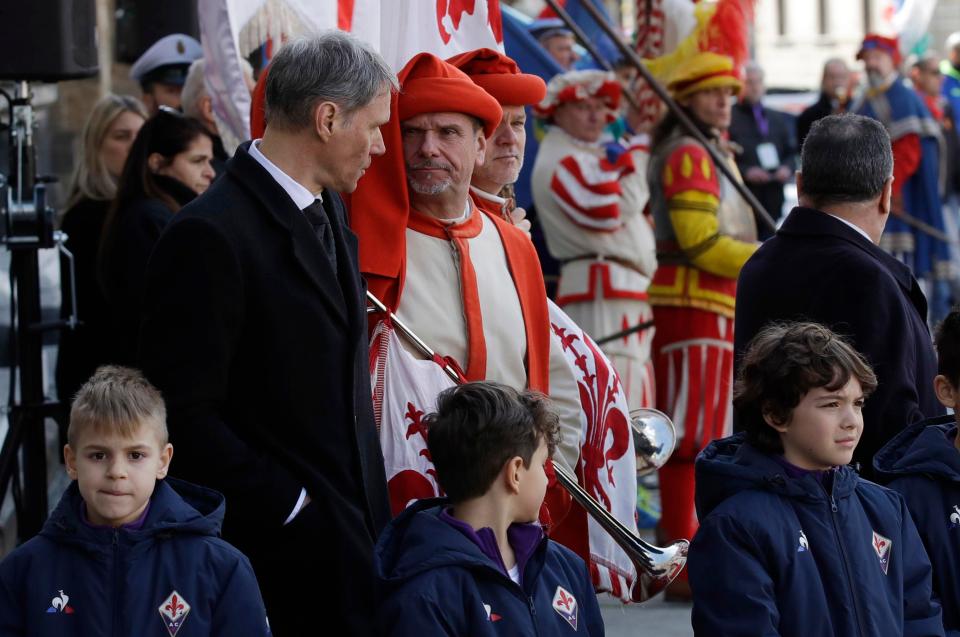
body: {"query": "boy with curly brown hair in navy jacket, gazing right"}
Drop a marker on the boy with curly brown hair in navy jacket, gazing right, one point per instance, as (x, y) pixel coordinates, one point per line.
(792, 542)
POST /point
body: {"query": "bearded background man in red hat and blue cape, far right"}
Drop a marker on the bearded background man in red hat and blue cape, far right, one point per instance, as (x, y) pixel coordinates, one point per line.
(915, 139)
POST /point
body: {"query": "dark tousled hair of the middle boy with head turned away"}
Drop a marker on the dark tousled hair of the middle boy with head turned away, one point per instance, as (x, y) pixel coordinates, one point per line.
(478, 427)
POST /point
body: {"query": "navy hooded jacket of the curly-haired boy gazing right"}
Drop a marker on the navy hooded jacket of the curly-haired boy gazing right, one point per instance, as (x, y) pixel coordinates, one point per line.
(781, 556)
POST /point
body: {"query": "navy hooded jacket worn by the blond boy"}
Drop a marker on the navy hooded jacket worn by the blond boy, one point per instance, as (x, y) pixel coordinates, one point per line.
(74, 580)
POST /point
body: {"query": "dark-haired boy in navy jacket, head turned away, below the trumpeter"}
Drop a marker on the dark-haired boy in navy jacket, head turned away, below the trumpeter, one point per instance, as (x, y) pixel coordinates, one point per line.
(477, 563)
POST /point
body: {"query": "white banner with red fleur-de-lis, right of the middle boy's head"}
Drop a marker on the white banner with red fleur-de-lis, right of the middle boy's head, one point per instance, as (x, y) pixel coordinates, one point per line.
(608, 465)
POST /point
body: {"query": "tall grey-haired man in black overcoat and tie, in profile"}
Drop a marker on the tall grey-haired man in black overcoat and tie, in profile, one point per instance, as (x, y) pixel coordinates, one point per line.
(255, 331)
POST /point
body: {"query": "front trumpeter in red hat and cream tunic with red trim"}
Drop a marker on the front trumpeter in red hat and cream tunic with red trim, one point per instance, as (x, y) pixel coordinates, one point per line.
(468, 283)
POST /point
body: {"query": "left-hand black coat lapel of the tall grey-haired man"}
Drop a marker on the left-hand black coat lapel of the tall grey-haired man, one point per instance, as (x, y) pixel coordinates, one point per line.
(307, 250)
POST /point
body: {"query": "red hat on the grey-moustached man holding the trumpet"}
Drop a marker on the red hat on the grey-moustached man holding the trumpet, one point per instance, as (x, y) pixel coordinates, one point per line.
(430, 85)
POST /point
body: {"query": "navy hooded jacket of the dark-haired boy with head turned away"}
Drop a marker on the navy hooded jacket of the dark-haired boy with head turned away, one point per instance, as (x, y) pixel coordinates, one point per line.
(433, 581)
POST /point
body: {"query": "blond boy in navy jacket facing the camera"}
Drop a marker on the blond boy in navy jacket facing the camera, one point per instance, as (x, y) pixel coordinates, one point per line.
(124, 554)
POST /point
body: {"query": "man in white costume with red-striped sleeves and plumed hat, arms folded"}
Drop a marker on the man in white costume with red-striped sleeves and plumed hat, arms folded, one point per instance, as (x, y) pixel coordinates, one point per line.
(590, 198)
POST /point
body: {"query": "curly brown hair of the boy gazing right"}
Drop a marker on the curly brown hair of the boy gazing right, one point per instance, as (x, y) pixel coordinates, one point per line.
(781, 364)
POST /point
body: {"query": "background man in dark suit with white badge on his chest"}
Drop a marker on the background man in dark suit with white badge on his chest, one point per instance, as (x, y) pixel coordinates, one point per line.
(768, 157)
